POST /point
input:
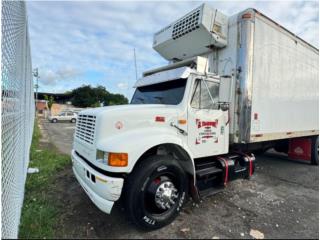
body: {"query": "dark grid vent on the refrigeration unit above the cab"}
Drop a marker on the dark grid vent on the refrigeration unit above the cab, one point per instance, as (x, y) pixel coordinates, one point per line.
(186, 25)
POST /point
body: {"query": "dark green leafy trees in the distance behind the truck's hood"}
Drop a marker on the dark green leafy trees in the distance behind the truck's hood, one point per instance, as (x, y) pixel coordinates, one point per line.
(87, 96)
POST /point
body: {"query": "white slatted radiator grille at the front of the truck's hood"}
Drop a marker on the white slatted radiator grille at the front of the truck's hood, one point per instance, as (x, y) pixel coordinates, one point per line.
(85, 128)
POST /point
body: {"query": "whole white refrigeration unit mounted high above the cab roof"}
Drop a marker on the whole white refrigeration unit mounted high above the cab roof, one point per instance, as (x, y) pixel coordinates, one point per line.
(194, 34)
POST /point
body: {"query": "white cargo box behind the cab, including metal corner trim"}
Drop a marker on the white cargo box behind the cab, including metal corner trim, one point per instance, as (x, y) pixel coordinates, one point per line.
(276, 94)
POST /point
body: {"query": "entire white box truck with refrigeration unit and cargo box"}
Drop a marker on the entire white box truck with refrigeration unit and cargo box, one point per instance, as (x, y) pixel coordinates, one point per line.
(233, 86)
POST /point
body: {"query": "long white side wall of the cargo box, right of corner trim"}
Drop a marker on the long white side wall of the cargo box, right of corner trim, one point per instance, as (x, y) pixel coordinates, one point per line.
(285, 85)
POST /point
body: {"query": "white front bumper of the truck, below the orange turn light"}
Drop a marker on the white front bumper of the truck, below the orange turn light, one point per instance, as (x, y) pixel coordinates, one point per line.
(101, 189)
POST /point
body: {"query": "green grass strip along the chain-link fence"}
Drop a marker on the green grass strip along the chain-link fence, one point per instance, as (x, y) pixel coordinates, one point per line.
(40, 212)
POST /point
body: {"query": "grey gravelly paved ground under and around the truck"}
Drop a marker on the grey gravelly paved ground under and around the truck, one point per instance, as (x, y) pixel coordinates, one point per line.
(281, 201)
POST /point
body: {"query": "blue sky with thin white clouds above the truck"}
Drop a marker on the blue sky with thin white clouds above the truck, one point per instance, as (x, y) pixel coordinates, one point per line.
(87, 42)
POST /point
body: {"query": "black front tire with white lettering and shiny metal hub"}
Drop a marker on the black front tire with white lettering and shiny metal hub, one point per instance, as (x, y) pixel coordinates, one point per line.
(149, 178)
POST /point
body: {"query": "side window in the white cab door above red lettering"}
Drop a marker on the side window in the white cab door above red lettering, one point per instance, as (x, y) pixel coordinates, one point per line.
(201, 98)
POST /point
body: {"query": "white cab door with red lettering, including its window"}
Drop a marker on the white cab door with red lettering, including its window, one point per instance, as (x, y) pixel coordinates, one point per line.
(207, 133)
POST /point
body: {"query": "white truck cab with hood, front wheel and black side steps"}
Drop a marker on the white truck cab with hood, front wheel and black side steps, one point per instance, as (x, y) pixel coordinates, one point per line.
(157, 149)
